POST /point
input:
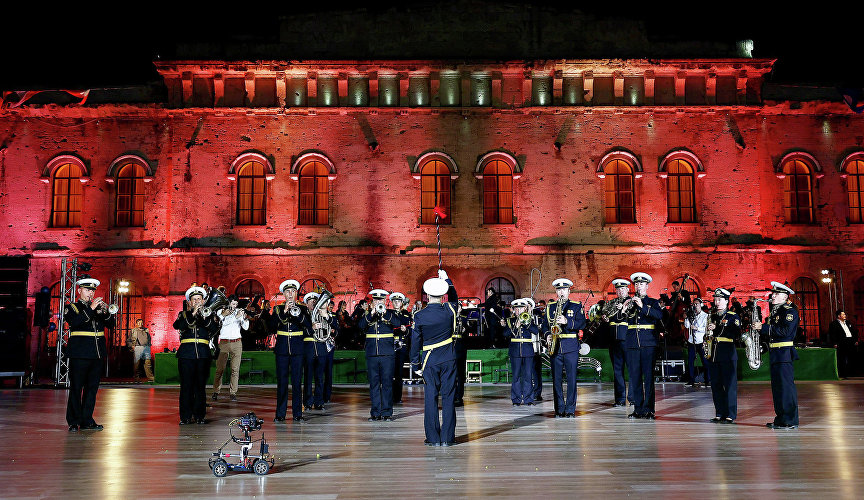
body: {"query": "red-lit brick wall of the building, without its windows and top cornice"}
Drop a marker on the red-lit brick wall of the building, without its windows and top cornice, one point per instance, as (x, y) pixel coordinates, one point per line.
(375, 235)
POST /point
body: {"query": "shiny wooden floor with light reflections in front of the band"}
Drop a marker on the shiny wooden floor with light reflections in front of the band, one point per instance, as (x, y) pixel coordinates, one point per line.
(503, 450)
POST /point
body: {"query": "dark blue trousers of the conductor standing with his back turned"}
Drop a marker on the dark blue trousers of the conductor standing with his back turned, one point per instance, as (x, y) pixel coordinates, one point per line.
(440, 380)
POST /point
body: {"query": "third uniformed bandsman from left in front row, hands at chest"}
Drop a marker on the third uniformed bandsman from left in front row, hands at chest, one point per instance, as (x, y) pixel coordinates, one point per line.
(291, 323)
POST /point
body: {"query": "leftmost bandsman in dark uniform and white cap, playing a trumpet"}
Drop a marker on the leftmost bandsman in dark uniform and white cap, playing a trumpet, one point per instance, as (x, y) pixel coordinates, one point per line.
(87, 319)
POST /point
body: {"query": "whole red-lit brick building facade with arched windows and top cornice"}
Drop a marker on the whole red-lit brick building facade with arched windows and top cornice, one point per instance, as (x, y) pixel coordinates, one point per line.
(328, 172)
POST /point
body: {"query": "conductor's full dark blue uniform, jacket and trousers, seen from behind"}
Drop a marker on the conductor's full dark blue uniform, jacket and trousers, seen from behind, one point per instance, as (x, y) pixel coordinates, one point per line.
(433, 352)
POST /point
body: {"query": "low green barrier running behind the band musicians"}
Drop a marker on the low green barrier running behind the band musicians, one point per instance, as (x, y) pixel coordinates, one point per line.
(259, 367)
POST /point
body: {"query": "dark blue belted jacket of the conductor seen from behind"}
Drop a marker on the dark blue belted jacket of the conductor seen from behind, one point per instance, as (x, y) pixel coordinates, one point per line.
(434, 325)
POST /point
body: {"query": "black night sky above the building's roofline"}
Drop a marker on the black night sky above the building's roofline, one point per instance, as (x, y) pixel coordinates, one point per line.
(90, 47)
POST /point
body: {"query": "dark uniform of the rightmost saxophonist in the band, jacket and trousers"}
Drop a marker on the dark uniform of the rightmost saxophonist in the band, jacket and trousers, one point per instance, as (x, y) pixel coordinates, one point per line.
(781, 328)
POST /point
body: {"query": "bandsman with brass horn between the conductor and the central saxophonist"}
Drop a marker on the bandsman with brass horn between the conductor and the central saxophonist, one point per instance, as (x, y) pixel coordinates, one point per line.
(521, 331)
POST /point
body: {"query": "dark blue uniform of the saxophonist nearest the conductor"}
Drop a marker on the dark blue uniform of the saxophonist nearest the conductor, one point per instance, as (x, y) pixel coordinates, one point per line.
(565, 359)
